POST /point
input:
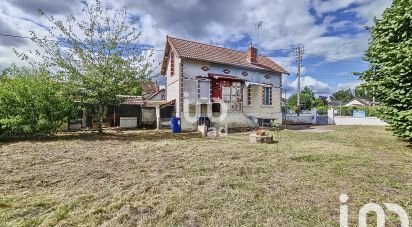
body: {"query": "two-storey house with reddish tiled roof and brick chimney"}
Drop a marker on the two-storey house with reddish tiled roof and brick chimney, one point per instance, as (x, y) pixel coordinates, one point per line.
(228, 87)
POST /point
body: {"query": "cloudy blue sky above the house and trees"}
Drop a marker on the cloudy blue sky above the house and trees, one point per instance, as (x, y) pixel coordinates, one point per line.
(332, 32)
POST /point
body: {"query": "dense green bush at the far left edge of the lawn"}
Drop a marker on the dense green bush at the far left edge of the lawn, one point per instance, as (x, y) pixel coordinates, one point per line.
(31, 105)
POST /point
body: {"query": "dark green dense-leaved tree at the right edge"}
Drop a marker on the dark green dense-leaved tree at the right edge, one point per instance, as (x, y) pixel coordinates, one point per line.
(390, 72)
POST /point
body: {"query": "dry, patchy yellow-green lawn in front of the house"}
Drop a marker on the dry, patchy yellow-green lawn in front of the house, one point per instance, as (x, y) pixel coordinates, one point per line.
(156, 178)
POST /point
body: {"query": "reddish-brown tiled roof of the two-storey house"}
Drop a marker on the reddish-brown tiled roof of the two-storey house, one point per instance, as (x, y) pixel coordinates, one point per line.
(214, 54)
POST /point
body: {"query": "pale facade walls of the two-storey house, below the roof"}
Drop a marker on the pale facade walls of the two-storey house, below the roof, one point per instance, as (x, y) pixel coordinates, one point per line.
(187, 85)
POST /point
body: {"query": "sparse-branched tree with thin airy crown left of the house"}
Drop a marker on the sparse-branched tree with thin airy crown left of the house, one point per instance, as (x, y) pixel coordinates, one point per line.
(97, 53)
